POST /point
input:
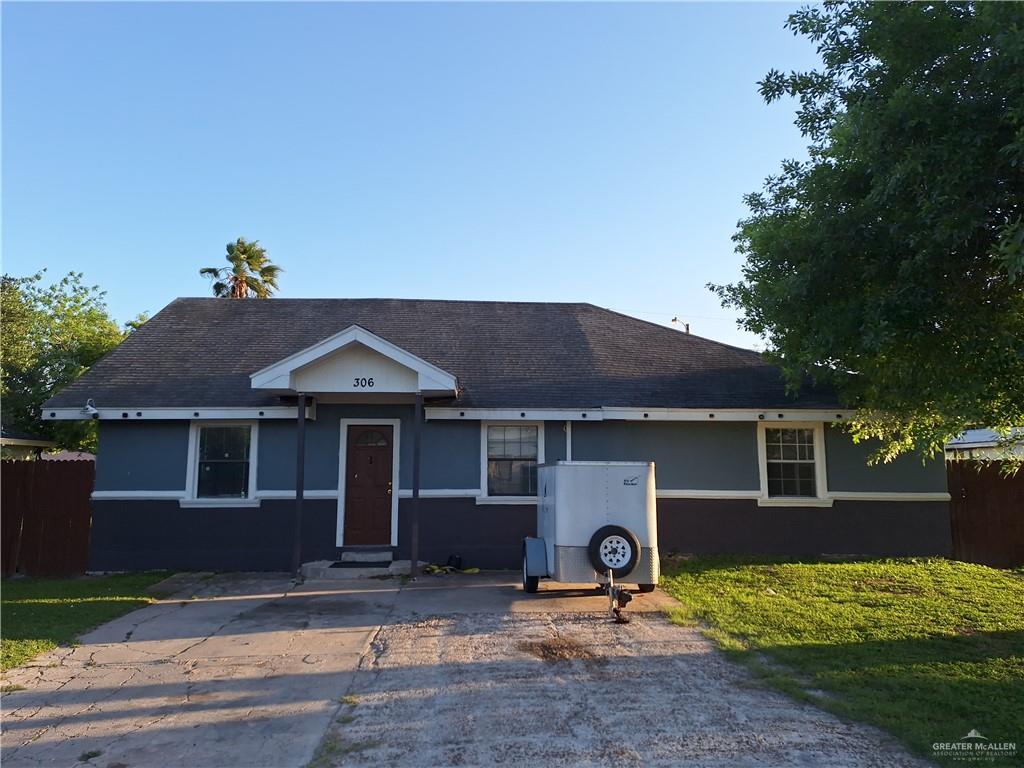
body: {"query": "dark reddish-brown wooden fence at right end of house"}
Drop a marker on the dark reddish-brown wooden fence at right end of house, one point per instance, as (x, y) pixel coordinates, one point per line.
(988, 509)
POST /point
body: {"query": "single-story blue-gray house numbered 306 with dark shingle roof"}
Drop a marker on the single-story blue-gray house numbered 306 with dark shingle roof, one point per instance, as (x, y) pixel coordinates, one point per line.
(199, 437)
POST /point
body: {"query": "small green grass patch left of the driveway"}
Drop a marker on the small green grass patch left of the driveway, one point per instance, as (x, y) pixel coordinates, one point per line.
(37, 615)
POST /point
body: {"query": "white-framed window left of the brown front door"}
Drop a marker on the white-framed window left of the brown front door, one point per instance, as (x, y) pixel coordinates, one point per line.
(223, 462)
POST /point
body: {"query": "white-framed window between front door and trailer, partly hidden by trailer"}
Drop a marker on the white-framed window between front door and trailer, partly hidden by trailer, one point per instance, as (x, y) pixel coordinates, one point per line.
(510, 454)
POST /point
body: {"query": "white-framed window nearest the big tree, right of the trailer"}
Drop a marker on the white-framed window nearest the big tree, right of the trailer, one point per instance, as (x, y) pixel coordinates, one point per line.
(792, 459)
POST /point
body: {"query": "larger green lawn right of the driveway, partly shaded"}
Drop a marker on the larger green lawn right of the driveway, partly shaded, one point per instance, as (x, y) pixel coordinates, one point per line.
(926, 650)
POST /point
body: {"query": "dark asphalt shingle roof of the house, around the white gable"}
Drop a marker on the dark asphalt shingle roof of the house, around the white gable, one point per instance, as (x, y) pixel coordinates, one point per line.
(200, 353)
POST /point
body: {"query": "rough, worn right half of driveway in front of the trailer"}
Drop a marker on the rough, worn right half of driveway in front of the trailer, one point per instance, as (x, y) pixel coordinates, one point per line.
(552, 681)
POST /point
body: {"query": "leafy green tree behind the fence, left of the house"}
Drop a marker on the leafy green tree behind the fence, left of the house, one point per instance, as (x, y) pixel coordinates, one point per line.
(50, 336)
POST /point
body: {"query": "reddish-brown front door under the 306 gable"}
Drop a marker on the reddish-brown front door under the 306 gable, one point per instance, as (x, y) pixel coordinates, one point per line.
(368, 486)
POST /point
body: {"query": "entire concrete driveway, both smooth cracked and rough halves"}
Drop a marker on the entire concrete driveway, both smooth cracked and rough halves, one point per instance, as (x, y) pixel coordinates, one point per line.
(246, 671)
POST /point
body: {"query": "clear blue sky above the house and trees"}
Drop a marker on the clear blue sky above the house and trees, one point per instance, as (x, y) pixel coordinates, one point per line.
(510, 152)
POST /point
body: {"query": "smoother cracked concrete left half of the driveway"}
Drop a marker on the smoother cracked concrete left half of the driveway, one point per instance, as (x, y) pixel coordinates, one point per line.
(236, 671)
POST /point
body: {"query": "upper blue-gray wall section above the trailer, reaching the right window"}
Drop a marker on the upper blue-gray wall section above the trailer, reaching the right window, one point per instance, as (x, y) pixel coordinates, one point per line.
(690, 455)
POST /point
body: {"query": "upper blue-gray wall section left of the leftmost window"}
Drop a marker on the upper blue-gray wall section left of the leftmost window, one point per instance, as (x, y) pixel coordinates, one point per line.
(150, 456)
